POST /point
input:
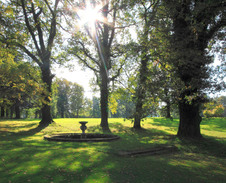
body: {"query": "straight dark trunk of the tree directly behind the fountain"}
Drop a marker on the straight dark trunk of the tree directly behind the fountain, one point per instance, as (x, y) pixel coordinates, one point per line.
(104, 101)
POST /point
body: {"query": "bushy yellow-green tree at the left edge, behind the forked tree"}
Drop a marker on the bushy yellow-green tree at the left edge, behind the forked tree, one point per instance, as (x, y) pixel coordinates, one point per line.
(20, 85)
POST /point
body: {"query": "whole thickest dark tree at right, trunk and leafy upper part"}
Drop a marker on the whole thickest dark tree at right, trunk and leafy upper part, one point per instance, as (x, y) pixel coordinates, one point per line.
(195, 24)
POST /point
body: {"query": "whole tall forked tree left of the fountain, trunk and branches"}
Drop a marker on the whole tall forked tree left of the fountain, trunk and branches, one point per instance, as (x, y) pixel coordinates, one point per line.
(31, 26)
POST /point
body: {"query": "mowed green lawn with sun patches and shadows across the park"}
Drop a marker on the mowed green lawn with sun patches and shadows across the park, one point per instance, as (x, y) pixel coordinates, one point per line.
(26, 157)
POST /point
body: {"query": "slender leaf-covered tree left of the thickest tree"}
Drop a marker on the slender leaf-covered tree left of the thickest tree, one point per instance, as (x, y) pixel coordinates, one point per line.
(146, 13)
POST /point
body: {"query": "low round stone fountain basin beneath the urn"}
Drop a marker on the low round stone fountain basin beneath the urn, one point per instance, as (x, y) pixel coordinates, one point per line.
(78, 137)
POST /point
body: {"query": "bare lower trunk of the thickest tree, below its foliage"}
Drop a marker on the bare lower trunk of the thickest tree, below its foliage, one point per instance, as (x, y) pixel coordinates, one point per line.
(190, 120)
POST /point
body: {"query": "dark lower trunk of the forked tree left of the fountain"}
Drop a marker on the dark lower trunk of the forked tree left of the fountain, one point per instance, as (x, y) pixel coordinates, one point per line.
(46, 110)
